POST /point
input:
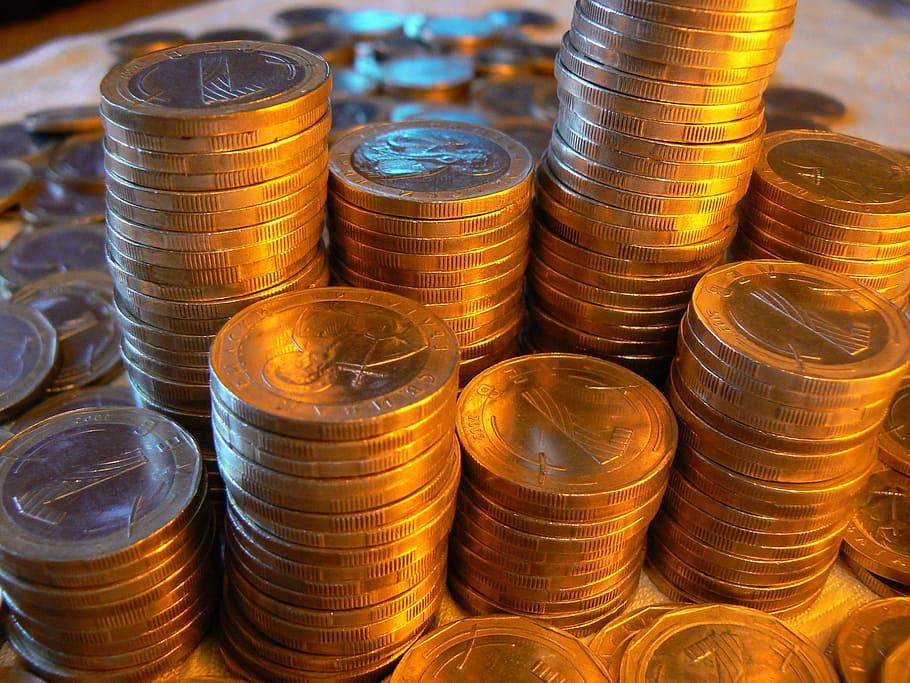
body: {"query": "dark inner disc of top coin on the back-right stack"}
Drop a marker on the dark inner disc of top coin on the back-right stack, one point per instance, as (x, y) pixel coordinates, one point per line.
(840, 171)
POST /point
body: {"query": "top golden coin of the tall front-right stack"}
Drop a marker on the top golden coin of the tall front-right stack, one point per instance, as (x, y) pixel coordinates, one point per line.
(801, 325)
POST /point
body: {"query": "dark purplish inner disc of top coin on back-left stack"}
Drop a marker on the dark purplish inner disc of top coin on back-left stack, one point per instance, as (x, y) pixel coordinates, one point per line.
(215, 78)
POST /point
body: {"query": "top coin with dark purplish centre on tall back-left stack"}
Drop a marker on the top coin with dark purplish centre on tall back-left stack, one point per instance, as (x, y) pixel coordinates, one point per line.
(207, 89)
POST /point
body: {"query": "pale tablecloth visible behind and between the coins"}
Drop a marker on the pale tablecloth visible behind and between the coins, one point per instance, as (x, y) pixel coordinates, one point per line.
(855, 50)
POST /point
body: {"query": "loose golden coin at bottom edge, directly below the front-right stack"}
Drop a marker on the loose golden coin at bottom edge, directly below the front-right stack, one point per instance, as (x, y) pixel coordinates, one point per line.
(712, 642)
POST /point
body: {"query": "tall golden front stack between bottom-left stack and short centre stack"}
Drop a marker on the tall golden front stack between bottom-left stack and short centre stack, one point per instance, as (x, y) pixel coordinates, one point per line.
(334, 430)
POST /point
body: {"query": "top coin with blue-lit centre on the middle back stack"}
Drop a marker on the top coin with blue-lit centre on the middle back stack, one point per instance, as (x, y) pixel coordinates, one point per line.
(430, 169)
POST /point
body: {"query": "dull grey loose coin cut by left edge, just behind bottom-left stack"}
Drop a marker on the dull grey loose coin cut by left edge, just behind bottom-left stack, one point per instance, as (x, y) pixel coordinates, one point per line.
(29, 357)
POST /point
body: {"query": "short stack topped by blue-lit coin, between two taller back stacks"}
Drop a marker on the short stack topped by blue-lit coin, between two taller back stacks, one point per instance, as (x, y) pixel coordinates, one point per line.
(437, 211)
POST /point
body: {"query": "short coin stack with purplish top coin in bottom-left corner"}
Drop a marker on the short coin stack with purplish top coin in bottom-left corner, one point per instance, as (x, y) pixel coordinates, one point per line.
(106, 546)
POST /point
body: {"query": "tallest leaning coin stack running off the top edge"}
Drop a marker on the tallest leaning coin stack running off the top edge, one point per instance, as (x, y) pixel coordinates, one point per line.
(659, 125)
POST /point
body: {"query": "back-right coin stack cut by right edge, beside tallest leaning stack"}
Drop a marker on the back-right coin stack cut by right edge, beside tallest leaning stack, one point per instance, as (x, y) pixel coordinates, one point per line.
(833, 201)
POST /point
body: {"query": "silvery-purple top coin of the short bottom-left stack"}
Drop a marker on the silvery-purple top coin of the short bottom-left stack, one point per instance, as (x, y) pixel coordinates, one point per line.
(93, 481)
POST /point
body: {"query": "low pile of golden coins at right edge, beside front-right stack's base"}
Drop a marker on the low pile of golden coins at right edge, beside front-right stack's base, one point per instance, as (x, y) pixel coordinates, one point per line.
(875, 542)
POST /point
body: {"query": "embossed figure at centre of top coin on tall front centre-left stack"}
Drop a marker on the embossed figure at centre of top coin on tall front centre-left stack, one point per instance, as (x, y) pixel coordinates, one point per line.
(333, 350)
